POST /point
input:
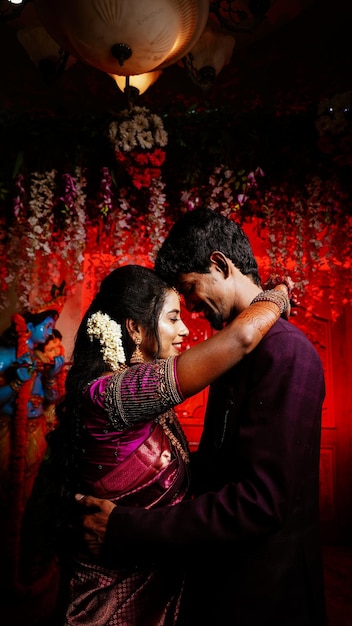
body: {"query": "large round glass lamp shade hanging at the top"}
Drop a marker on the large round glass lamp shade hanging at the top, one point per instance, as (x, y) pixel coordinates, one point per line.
(125, 37)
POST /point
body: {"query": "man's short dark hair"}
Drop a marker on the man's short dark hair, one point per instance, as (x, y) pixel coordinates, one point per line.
(194, 237)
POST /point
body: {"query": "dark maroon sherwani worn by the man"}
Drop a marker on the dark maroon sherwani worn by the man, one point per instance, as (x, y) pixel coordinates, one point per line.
(250, 539)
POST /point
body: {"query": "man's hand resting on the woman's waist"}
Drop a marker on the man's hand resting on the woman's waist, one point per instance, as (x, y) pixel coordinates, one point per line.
(94, 521)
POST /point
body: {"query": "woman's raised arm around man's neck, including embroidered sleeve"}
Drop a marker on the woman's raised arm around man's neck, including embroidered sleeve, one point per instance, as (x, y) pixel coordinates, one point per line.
(141, 392)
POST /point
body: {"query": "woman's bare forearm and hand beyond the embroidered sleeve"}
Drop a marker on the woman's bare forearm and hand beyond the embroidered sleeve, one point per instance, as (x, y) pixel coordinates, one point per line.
(205, 362)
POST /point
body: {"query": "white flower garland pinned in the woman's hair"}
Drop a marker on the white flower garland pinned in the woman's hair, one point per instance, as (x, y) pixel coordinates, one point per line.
(102, 327)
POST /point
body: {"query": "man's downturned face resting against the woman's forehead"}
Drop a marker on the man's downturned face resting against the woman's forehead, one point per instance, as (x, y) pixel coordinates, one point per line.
(208, 294)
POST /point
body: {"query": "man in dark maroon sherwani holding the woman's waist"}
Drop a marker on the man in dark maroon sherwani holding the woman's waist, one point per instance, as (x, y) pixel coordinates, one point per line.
(249, 538)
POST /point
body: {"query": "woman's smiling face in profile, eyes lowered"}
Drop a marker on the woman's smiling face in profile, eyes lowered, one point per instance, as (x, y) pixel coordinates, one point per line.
(172, 330)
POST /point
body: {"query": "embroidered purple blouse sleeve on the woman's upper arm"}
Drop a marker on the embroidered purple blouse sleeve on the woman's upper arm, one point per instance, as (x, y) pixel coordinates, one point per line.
(141, 392)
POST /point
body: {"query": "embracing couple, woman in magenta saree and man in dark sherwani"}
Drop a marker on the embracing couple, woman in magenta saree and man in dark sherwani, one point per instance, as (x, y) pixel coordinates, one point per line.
(228, 535)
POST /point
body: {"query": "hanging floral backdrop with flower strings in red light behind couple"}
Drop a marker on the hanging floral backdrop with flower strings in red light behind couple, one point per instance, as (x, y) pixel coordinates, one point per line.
(71, 187)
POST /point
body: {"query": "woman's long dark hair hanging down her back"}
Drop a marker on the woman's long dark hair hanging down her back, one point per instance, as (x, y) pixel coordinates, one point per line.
(131, 291)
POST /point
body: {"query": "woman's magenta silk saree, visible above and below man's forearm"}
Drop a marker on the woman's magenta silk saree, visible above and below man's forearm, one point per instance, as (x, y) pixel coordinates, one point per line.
(130, 596)
